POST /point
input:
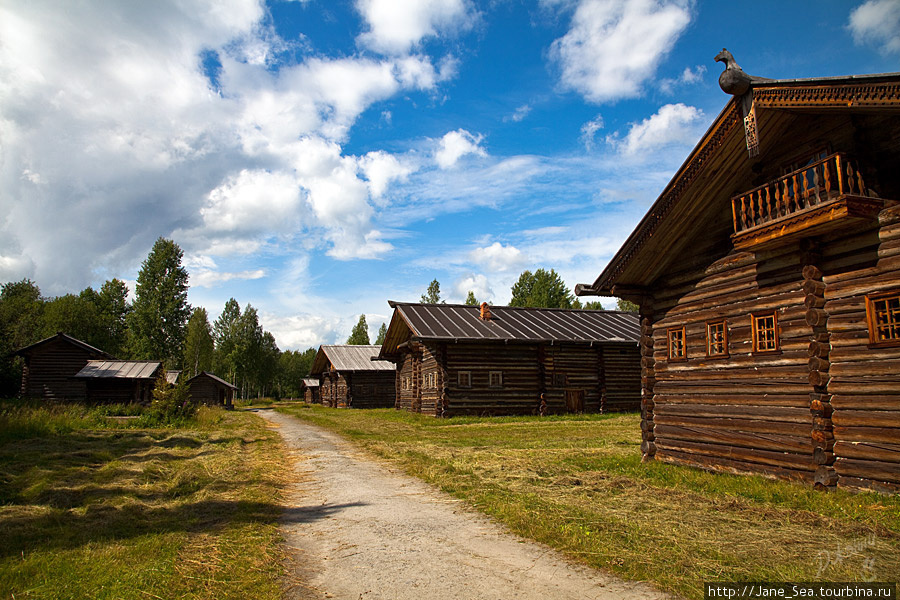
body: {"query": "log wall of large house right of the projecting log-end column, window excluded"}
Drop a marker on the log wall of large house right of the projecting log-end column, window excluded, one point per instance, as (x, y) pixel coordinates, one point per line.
(863, 389)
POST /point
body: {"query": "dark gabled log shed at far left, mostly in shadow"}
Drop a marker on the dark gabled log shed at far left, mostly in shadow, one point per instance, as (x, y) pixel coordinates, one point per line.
(50, 367)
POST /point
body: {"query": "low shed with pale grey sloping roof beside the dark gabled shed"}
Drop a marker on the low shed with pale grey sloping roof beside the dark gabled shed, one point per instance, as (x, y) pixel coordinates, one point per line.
(122, 381)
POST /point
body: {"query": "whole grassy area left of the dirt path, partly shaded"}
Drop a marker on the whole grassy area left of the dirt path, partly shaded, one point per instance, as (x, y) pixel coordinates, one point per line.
(100, 507)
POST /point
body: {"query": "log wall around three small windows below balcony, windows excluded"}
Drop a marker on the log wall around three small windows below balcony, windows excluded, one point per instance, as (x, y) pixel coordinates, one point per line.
(744, 412)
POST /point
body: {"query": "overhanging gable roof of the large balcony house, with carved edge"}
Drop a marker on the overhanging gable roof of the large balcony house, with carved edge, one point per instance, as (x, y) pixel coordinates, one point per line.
(719, 167)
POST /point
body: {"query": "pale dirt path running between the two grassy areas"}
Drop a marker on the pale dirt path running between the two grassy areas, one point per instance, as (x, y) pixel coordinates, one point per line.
(361, 529)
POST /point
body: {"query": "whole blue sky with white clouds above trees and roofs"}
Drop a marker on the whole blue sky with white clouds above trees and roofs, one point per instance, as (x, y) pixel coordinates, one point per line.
(317, 158)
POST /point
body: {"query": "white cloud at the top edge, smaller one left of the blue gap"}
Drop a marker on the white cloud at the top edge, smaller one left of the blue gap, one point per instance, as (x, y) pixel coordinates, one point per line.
(396, 26)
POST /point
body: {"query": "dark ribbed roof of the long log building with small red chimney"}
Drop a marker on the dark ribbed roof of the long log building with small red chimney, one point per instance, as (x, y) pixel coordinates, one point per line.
(460, 322)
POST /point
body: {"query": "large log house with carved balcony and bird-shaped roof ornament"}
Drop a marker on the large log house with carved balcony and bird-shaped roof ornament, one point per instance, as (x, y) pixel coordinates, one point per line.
(768, 277)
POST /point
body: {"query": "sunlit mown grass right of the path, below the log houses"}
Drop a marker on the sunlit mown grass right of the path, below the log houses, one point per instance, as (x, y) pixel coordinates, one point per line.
(576, 483)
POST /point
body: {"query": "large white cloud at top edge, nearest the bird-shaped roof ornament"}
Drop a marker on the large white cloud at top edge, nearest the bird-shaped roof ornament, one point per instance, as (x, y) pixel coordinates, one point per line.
(614, 46)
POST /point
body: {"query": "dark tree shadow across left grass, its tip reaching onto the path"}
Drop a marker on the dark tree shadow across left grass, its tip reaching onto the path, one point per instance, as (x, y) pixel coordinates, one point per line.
(62, 492)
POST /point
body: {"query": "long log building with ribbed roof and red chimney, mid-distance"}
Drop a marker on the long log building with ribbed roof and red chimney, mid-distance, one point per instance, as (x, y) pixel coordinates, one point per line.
(457, 359)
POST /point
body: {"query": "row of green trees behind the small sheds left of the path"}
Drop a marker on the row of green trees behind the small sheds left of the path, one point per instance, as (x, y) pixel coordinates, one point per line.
(159, 325)
